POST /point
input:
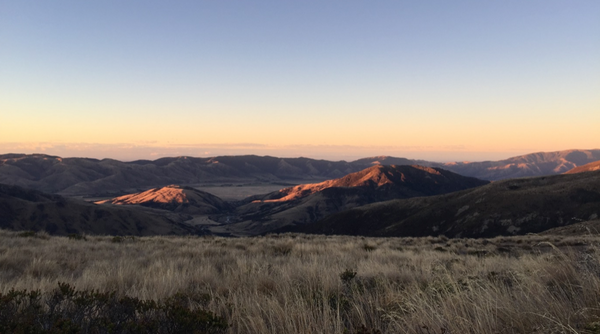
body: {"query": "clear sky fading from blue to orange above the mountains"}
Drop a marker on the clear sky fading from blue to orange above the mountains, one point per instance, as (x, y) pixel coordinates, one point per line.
(435, 80)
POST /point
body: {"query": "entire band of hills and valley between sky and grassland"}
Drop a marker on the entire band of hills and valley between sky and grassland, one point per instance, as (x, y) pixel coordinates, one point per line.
(251, 195)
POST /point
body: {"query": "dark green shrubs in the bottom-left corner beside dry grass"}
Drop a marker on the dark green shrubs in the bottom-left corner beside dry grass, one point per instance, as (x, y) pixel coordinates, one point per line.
(66, 310)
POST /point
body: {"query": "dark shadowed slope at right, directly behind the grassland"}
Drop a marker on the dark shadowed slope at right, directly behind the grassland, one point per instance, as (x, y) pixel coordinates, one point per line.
(516, 206)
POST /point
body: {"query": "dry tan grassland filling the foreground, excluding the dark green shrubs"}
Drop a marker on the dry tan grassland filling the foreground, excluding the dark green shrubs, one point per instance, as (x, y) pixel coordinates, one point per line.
(317, 284)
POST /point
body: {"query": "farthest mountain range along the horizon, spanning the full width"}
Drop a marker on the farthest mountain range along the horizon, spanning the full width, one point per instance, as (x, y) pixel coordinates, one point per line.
(107, 177)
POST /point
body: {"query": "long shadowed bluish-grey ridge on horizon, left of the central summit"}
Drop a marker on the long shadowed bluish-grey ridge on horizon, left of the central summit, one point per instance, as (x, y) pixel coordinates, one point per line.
(82, 176)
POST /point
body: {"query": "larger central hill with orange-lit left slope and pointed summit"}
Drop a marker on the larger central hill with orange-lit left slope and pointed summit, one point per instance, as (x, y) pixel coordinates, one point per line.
(311, 202)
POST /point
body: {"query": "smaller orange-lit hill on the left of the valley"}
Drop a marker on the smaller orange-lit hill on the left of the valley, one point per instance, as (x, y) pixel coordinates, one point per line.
(174, 198)
